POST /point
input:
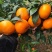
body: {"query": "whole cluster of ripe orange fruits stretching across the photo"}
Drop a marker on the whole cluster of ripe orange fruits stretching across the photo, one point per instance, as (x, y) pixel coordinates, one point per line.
(21, 26)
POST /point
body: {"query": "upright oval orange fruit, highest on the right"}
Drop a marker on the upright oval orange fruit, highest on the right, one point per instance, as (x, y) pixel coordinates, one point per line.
(44, 11)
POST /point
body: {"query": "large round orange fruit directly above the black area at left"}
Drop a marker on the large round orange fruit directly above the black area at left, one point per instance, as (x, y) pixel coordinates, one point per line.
(7, 27)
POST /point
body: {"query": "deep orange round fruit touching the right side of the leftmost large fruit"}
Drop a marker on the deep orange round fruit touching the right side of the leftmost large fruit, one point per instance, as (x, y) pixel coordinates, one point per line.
(21, 26)
